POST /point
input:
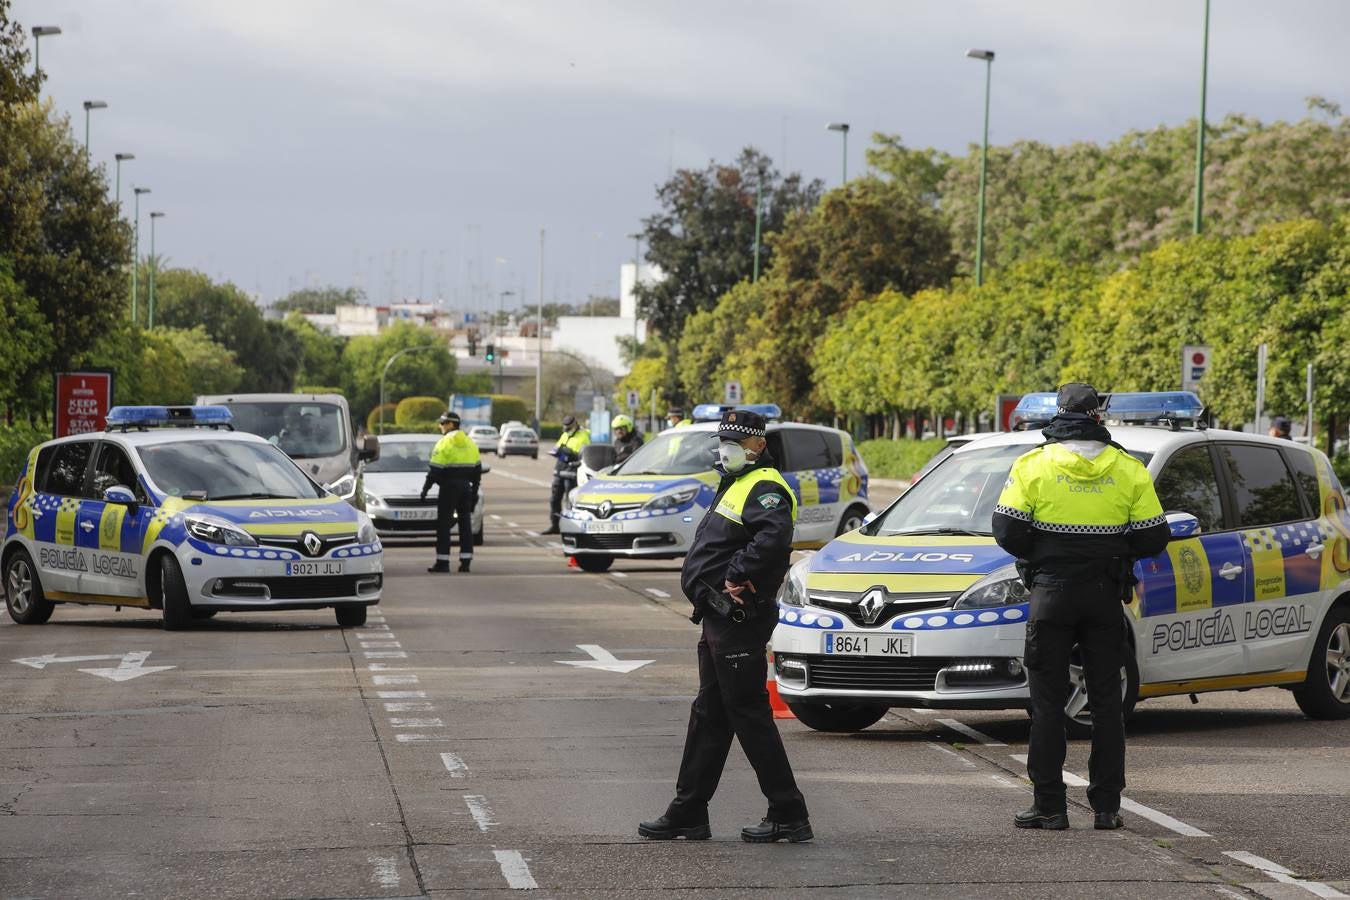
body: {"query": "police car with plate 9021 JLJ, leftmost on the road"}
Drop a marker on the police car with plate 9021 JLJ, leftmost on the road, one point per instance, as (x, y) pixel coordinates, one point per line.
(171, 509)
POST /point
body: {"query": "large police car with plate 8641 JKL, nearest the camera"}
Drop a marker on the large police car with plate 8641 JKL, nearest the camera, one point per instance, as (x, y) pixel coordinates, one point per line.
(920, 608)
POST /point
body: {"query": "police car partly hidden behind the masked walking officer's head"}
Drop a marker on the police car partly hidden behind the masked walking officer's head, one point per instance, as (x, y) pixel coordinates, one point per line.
(650, 505)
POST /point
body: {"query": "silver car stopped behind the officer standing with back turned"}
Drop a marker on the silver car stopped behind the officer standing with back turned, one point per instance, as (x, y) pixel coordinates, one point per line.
(394, 489)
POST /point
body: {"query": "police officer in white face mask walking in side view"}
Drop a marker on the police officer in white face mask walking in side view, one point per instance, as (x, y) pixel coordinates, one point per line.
(735, 566)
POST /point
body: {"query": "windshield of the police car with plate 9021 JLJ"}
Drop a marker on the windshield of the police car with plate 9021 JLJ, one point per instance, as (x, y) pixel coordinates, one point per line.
(222, 470)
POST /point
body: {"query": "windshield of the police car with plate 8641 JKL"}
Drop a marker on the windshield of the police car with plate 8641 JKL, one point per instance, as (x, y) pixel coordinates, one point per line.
(959, 496)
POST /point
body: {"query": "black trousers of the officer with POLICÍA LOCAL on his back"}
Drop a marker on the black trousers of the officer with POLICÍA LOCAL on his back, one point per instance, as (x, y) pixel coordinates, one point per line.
(1086, 615)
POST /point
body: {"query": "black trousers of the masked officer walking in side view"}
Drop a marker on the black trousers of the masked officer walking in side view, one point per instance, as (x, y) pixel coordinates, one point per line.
(734, 701)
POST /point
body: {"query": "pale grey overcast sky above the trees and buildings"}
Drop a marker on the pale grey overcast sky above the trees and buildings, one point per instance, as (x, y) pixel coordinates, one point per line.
(419, 146)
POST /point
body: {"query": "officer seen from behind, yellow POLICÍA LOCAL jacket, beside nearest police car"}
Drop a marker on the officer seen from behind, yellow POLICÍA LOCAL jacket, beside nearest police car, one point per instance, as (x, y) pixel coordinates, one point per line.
(1078, 512)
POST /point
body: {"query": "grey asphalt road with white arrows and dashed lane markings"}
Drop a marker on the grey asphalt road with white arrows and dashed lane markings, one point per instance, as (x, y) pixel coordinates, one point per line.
(446, 750)
